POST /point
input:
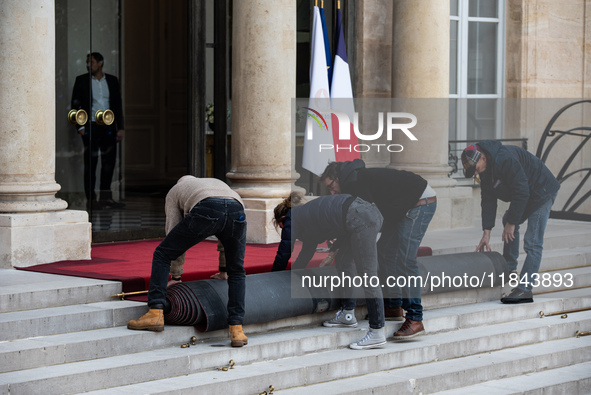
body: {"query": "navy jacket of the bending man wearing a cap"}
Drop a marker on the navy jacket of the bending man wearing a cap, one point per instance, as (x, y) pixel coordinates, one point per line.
(515, 176)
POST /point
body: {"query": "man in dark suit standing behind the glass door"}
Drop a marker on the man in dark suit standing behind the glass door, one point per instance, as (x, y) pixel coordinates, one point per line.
(99, 91)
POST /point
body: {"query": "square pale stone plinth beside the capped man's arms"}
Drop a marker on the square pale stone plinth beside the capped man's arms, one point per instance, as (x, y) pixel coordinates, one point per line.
(455, 209)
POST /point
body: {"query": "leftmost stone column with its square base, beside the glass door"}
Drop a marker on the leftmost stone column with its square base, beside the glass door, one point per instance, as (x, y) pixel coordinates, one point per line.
(34, 225)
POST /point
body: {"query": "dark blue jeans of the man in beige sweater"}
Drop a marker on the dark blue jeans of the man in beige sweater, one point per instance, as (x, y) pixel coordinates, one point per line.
(221, 217)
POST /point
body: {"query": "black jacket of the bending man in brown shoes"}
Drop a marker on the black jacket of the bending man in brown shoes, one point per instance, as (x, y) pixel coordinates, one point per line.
(393, 191)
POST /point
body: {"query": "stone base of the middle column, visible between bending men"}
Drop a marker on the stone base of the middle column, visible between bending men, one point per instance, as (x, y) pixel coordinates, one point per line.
(259, 216)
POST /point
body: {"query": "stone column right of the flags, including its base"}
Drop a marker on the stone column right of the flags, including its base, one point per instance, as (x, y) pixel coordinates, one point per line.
(420, 79)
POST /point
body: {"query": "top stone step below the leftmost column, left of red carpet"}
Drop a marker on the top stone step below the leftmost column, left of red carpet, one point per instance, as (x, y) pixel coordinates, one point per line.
(23, 290)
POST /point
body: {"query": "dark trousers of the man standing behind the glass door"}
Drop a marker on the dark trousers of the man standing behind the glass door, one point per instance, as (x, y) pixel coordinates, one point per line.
(99, 140)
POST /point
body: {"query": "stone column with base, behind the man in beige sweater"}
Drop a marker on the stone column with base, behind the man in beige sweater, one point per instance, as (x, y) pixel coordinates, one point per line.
(263, 80)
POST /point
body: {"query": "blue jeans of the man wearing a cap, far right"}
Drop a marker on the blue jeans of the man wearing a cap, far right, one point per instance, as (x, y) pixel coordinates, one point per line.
(533, 244)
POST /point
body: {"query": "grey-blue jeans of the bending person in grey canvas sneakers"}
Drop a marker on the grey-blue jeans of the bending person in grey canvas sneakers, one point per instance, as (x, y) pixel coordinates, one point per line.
(363, 223)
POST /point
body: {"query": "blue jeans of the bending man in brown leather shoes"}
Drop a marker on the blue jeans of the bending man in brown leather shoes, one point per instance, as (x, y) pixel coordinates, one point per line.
(397, 253)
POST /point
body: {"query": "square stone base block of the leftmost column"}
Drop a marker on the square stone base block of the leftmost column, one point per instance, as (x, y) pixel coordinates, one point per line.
(37, 238)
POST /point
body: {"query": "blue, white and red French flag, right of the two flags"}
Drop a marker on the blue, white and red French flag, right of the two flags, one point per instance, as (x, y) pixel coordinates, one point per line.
(341, 98)
